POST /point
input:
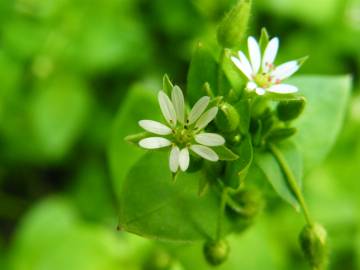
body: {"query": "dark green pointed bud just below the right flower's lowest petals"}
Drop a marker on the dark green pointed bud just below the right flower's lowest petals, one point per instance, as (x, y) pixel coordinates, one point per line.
(288, 110)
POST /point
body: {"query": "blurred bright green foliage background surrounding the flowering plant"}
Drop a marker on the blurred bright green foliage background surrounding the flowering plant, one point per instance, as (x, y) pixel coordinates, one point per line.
(65, 68)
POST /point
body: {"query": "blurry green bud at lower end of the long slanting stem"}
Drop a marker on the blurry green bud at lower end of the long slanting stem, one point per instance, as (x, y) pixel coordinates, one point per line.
(313, 240)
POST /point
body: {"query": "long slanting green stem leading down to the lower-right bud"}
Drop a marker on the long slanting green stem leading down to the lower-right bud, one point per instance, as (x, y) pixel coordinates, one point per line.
(291, 181)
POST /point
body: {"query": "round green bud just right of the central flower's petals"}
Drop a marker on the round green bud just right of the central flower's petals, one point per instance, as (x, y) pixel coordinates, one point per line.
(228, 118)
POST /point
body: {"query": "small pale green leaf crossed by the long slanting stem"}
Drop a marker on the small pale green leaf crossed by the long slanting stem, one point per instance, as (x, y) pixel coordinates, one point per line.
(274, 174)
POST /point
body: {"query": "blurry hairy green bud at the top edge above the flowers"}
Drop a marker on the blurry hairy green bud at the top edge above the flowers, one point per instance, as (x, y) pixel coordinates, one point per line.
(233, 27)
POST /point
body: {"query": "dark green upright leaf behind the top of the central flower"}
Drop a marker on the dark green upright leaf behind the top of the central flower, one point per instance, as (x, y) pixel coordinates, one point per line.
(203, 68)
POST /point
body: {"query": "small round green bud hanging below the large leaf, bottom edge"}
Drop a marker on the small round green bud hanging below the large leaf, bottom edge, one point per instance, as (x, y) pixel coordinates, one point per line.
(216, 252)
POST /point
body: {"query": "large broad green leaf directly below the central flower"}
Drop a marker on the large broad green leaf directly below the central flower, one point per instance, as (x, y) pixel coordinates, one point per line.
(152, 205)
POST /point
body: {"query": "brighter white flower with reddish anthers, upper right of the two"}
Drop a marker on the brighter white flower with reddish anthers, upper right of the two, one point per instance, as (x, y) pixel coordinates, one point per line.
(263, 75)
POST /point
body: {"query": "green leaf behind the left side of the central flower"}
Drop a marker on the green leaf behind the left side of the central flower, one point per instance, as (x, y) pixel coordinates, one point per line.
(139, 104)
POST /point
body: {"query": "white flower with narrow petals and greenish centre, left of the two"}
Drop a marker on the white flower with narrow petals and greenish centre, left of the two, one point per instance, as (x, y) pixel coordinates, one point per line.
(184, 132)
